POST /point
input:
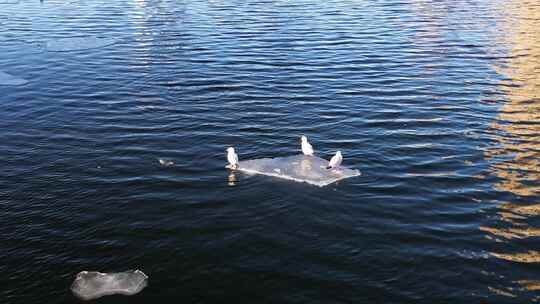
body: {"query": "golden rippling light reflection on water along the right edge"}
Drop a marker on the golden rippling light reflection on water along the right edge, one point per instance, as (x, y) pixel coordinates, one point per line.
(517, 152)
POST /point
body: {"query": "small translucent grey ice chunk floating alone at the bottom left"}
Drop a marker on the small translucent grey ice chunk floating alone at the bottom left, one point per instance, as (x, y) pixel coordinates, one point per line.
(92, 284)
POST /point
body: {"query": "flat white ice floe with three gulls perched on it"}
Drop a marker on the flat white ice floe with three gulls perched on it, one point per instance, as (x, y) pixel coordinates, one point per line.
(300, 168)
